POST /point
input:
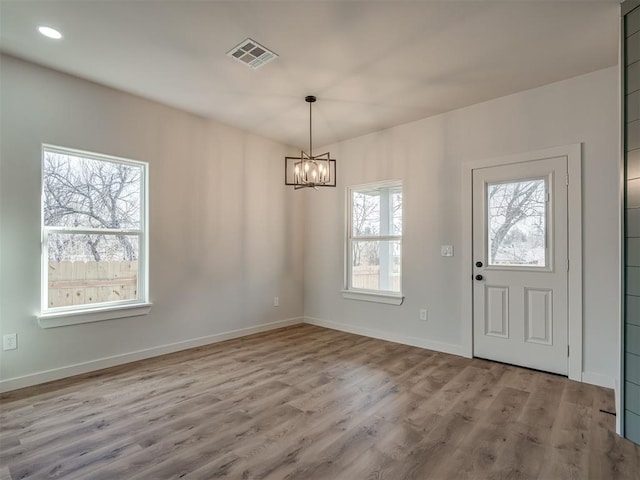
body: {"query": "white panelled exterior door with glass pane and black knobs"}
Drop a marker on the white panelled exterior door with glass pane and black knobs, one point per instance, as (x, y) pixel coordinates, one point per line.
(520, 240)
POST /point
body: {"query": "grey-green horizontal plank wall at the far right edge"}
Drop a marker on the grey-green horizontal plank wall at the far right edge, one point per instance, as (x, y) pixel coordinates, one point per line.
(632, 228)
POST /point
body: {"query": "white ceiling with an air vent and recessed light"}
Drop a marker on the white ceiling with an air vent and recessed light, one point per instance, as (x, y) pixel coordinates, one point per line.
(372, 64)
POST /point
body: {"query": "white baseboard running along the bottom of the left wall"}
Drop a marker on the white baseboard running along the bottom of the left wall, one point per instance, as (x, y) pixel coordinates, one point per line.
(93, 365)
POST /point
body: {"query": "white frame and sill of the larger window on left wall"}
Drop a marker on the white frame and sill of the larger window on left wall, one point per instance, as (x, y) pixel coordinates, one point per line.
(92, 312)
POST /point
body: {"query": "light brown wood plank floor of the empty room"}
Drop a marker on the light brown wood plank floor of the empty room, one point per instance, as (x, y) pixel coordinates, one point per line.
(310, 403)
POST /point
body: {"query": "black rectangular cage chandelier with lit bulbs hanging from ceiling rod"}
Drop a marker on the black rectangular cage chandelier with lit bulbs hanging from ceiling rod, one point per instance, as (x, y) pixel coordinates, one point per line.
(308, 170)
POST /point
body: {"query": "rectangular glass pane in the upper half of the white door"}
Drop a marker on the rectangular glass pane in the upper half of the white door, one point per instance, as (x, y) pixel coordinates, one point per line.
(517, 214)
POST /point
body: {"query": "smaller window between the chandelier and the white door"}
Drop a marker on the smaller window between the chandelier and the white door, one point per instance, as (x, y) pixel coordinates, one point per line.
(374, 250)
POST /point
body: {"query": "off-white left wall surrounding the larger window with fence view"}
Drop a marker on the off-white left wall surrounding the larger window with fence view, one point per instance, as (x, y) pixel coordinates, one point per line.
(224, 230)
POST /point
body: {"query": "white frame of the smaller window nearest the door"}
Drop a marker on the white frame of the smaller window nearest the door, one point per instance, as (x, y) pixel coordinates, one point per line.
(349, 292)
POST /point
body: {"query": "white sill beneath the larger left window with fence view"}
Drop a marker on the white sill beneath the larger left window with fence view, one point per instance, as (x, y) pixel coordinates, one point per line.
(75, 317)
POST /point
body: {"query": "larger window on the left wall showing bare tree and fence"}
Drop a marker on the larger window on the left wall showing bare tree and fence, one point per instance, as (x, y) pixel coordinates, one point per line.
(93, 235)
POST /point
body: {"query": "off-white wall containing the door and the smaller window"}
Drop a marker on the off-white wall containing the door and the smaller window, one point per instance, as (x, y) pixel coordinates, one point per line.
(427, 156)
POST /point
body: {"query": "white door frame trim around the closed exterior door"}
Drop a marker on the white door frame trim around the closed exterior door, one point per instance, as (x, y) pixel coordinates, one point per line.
(574, 208)
